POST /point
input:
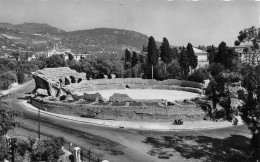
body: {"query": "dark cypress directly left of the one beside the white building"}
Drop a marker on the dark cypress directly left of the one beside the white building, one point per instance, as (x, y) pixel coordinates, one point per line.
(184, 63)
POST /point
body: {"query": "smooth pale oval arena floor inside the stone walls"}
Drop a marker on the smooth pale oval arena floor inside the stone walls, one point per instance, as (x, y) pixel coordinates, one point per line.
(169, 95)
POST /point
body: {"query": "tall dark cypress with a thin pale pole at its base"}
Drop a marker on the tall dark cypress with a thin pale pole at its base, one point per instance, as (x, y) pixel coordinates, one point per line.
(152, 57)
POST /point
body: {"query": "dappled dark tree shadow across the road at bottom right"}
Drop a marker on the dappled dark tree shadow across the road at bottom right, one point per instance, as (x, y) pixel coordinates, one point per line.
(231, 149)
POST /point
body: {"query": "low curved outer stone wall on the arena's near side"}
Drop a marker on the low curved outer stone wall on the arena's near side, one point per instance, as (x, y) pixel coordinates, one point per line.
(187, 112)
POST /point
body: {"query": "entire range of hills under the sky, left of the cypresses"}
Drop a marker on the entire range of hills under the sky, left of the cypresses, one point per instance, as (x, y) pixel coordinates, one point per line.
(38, 37)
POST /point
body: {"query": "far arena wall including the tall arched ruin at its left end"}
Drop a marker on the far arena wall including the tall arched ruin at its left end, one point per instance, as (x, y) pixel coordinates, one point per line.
(60, 82)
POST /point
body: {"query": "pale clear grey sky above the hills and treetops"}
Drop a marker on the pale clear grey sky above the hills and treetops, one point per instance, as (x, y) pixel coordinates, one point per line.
(202, 22)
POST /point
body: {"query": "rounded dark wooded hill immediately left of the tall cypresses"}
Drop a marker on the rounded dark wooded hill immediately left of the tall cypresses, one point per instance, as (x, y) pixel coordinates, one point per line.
(106, 39)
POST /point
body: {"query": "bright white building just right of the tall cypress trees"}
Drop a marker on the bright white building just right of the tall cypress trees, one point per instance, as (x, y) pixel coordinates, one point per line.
(202, 58)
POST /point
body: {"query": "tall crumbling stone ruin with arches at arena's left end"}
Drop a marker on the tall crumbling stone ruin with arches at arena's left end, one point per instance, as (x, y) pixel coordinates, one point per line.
(52, 81)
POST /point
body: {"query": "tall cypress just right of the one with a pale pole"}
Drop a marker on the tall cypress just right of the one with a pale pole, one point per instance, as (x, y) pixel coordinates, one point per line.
(166, 53)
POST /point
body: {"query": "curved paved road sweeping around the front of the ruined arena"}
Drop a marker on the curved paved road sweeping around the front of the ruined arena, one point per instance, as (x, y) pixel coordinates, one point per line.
(118, 145)
